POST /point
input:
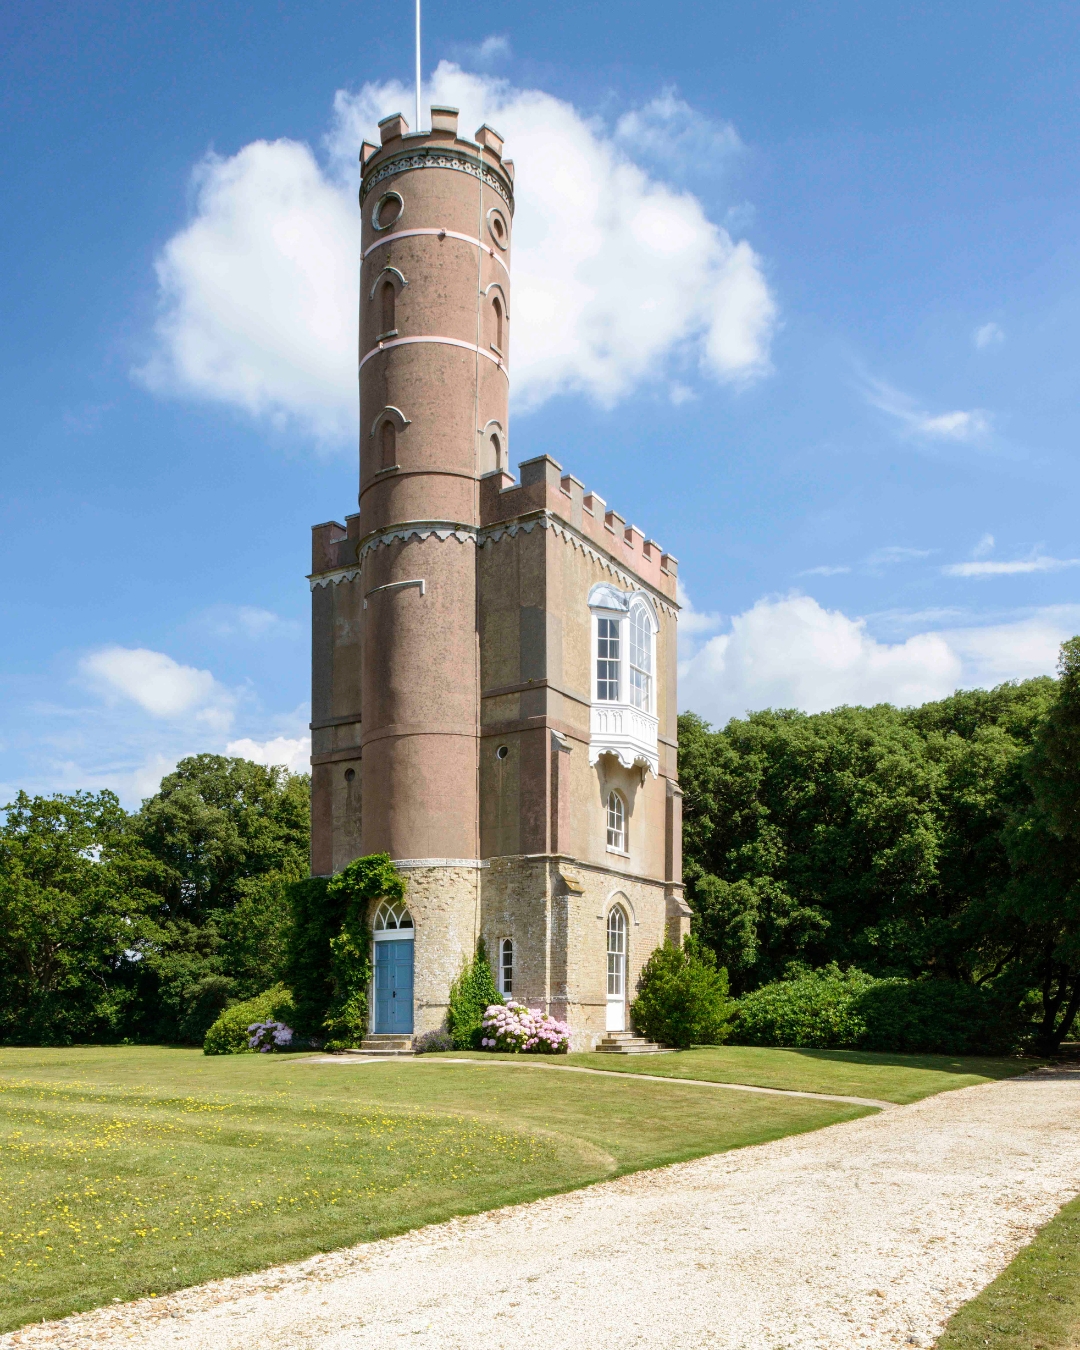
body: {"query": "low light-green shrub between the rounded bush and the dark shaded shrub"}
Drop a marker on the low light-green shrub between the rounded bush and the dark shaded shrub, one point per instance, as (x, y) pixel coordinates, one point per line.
(820, 1009)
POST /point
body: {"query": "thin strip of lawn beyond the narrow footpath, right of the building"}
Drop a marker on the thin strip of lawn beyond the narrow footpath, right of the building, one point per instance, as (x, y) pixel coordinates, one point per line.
(886, 1078)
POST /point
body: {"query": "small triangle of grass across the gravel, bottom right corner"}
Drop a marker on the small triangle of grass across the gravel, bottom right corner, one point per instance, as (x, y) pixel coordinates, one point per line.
(1035, 1303)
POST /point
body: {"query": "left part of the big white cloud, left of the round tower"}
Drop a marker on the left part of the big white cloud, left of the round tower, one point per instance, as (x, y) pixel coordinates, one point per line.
(260, 294)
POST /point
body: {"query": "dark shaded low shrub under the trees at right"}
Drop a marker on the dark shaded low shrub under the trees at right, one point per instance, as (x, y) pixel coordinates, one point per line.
(935, 1017)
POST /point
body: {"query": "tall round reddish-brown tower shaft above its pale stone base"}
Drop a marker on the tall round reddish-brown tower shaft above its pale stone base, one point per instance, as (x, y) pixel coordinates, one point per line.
(434, 395)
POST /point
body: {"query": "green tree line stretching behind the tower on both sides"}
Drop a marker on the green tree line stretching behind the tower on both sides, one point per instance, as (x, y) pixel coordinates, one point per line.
(936, 844)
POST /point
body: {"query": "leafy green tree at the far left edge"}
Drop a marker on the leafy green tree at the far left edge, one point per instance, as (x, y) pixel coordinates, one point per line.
(74, 905)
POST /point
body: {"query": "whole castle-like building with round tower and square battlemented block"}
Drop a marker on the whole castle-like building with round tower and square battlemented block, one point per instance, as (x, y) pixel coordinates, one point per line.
(461, 720)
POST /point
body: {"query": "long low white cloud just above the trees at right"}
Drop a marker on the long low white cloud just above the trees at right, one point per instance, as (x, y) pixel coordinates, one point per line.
(792, 653)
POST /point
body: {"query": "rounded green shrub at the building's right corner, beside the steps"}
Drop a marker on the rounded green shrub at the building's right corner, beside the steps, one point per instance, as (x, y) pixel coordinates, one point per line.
(684, 998)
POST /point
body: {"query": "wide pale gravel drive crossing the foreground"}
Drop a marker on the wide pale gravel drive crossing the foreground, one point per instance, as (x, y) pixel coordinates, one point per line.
(865, 1235)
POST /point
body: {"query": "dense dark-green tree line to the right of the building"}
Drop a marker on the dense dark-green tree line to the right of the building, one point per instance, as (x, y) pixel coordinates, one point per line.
(935, 843)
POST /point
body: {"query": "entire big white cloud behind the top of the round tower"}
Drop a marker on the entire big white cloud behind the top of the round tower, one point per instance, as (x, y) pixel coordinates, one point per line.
(260, 291)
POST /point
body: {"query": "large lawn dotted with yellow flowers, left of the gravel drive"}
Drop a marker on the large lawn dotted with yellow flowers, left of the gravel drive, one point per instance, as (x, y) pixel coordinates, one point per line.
(134, 1171)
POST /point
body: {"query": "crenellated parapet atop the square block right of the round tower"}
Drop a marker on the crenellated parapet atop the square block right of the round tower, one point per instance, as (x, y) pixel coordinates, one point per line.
(545, 487)
